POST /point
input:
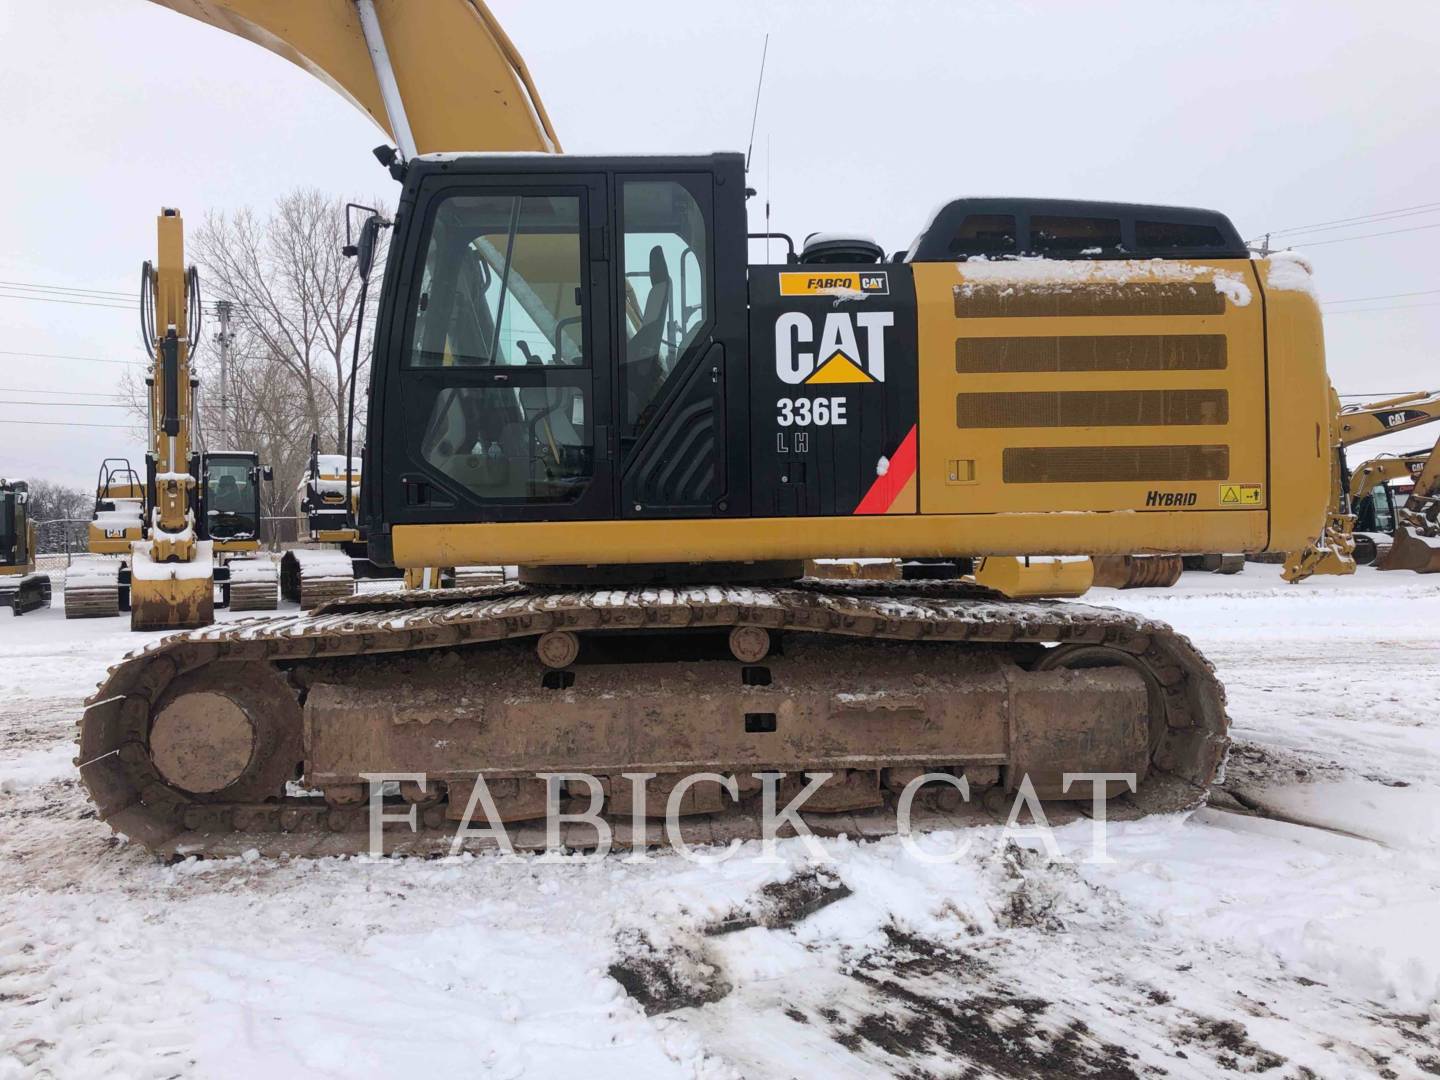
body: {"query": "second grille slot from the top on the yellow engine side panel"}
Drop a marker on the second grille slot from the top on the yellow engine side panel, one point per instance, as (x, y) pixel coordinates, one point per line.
(1117, 354)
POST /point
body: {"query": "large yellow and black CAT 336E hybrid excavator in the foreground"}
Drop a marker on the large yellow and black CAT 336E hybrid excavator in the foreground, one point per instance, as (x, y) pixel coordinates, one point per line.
(578, 371)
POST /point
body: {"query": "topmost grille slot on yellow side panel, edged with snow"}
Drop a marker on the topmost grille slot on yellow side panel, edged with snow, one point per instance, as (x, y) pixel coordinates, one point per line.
(1089, 299)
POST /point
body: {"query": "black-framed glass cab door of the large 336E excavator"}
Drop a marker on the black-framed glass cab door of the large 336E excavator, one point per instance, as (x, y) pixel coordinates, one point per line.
(505, 355)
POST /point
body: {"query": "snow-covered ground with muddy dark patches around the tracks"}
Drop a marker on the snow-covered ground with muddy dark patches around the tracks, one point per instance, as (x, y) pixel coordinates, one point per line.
(1305, 944)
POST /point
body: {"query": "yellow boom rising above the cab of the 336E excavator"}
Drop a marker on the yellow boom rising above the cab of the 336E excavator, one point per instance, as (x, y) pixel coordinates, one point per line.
(460, 80)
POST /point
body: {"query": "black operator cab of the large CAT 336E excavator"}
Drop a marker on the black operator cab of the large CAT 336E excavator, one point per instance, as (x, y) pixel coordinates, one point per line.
(565, 333)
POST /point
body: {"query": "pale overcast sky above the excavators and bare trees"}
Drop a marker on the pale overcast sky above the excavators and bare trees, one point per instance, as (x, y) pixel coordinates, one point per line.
(1279, 114)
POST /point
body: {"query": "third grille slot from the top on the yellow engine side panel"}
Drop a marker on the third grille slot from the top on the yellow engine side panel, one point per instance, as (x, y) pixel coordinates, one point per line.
(1091, 408)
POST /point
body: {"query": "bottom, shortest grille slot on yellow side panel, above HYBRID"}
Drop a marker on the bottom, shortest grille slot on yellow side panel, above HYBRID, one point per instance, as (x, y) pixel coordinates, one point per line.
(1114, 464)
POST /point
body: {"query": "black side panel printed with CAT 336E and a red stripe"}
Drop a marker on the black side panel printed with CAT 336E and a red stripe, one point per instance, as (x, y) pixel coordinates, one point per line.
(834, 391)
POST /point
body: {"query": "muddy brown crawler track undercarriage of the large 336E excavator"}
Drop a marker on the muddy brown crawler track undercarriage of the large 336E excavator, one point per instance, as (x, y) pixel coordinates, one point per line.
(267, 734)
